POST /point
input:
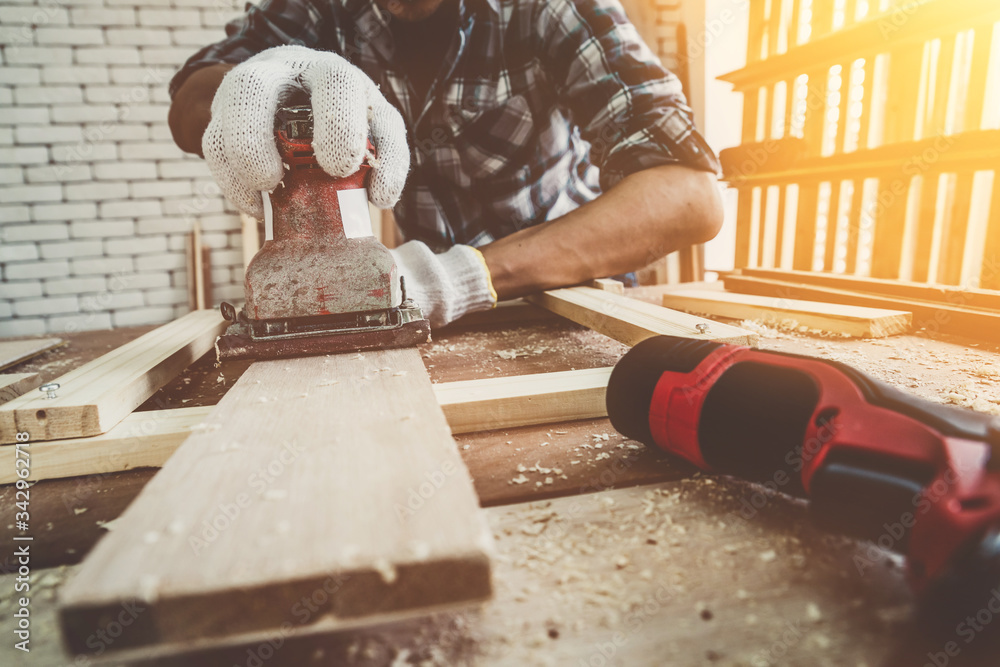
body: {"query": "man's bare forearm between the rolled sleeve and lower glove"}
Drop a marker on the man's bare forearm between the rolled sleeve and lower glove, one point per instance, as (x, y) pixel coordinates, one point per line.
(646, 216)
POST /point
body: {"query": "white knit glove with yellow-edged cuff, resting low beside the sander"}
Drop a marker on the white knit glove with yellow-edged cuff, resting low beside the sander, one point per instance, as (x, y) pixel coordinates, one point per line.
(448, 285)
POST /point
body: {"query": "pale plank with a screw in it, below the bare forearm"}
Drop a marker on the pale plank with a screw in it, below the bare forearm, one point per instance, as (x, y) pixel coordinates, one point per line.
(631, 321)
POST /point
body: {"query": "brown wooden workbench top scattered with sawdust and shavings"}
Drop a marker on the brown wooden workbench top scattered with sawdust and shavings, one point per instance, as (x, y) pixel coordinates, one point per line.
(607, 552)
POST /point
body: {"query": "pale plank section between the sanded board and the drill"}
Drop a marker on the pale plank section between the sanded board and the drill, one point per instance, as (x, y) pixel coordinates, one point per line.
(482, 405)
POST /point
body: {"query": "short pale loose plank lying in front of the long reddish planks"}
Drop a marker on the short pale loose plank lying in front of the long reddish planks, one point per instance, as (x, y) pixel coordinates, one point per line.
(850, 320)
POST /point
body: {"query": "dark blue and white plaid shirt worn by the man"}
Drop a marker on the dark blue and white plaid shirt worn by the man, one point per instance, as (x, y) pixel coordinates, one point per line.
(540, 104)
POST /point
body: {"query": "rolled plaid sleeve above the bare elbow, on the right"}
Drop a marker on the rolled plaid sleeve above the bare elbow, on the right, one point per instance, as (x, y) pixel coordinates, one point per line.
(629, 107)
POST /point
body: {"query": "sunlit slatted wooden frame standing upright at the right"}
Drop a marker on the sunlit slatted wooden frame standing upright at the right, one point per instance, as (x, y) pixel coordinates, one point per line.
(882, 122)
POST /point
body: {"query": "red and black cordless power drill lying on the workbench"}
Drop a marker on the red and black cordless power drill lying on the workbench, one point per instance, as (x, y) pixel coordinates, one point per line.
(873, 460)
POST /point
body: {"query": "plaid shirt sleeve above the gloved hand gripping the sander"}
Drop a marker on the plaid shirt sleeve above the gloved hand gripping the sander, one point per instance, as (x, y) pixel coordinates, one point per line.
(271, 23)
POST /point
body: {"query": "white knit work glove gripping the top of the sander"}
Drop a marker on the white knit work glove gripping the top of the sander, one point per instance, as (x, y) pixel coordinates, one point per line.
(347, 106)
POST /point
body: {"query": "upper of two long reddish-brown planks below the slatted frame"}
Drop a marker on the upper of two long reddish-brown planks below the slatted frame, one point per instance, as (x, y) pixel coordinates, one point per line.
(968, 298)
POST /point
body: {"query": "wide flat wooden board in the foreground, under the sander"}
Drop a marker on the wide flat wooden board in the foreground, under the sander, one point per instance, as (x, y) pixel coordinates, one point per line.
(334, 479)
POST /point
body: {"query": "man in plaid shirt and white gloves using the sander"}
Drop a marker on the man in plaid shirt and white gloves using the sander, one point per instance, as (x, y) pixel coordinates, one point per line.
(497, 122)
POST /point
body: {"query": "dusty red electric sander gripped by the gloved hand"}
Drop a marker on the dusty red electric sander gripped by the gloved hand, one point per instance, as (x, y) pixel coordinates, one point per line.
(321, 283)
